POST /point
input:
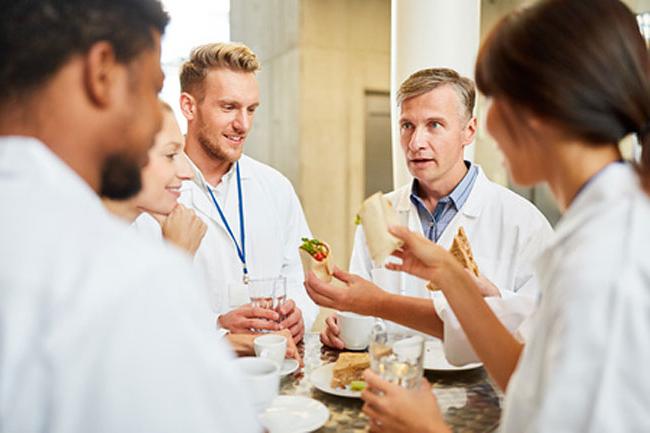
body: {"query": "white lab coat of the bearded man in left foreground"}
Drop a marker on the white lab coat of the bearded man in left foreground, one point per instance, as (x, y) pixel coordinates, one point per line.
(100, 331)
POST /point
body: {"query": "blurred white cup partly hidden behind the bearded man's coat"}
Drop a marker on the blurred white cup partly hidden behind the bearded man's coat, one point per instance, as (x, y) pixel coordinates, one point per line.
(261, 378)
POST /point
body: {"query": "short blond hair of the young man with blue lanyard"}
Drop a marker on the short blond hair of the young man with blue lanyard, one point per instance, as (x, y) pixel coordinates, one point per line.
(234, 56)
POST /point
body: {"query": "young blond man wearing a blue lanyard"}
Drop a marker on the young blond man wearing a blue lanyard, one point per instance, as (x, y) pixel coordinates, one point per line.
(255, 220)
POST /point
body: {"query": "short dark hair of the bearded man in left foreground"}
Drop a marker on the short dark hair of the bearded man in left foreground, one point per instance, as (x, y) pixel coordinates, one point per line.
(37, 37)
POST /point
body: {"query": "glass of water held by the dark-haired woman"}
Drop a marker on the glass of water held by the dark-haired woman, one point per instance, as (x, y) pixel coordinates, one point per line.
(397, 356)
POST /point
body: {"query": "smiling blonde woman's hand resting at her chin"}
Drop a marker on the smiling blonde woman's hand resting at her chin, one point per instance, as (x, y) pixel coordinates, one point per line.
(184, 229)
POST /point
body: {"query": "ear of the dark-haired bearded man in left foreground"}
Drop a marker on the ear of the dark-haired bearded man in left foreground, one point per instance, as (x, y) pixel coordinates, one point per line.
(101, 73)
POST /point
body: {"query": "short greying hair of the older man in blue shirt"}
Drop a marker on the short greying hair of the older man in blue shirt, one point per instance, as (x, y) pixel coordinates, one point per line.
(426, 80)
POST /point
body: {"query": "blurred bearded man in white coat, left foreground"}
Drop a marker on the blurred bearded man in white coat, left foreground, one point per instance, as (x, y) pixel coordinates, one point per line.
(99, 331)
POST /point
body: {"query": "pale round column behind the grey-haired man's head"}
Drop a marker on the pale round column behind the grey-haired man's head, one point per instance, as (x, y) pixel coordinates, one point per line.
(425, 34)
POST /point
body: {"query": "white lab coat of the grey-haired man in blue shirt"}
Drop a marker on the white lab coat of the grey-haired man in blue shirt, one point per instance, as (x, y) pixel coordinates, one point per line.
(506, 233)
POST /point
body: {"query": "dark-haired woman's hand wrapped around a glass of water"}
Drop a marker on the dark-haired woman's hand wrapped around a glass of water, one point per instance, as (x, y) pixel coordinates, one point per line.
(392, 408)
